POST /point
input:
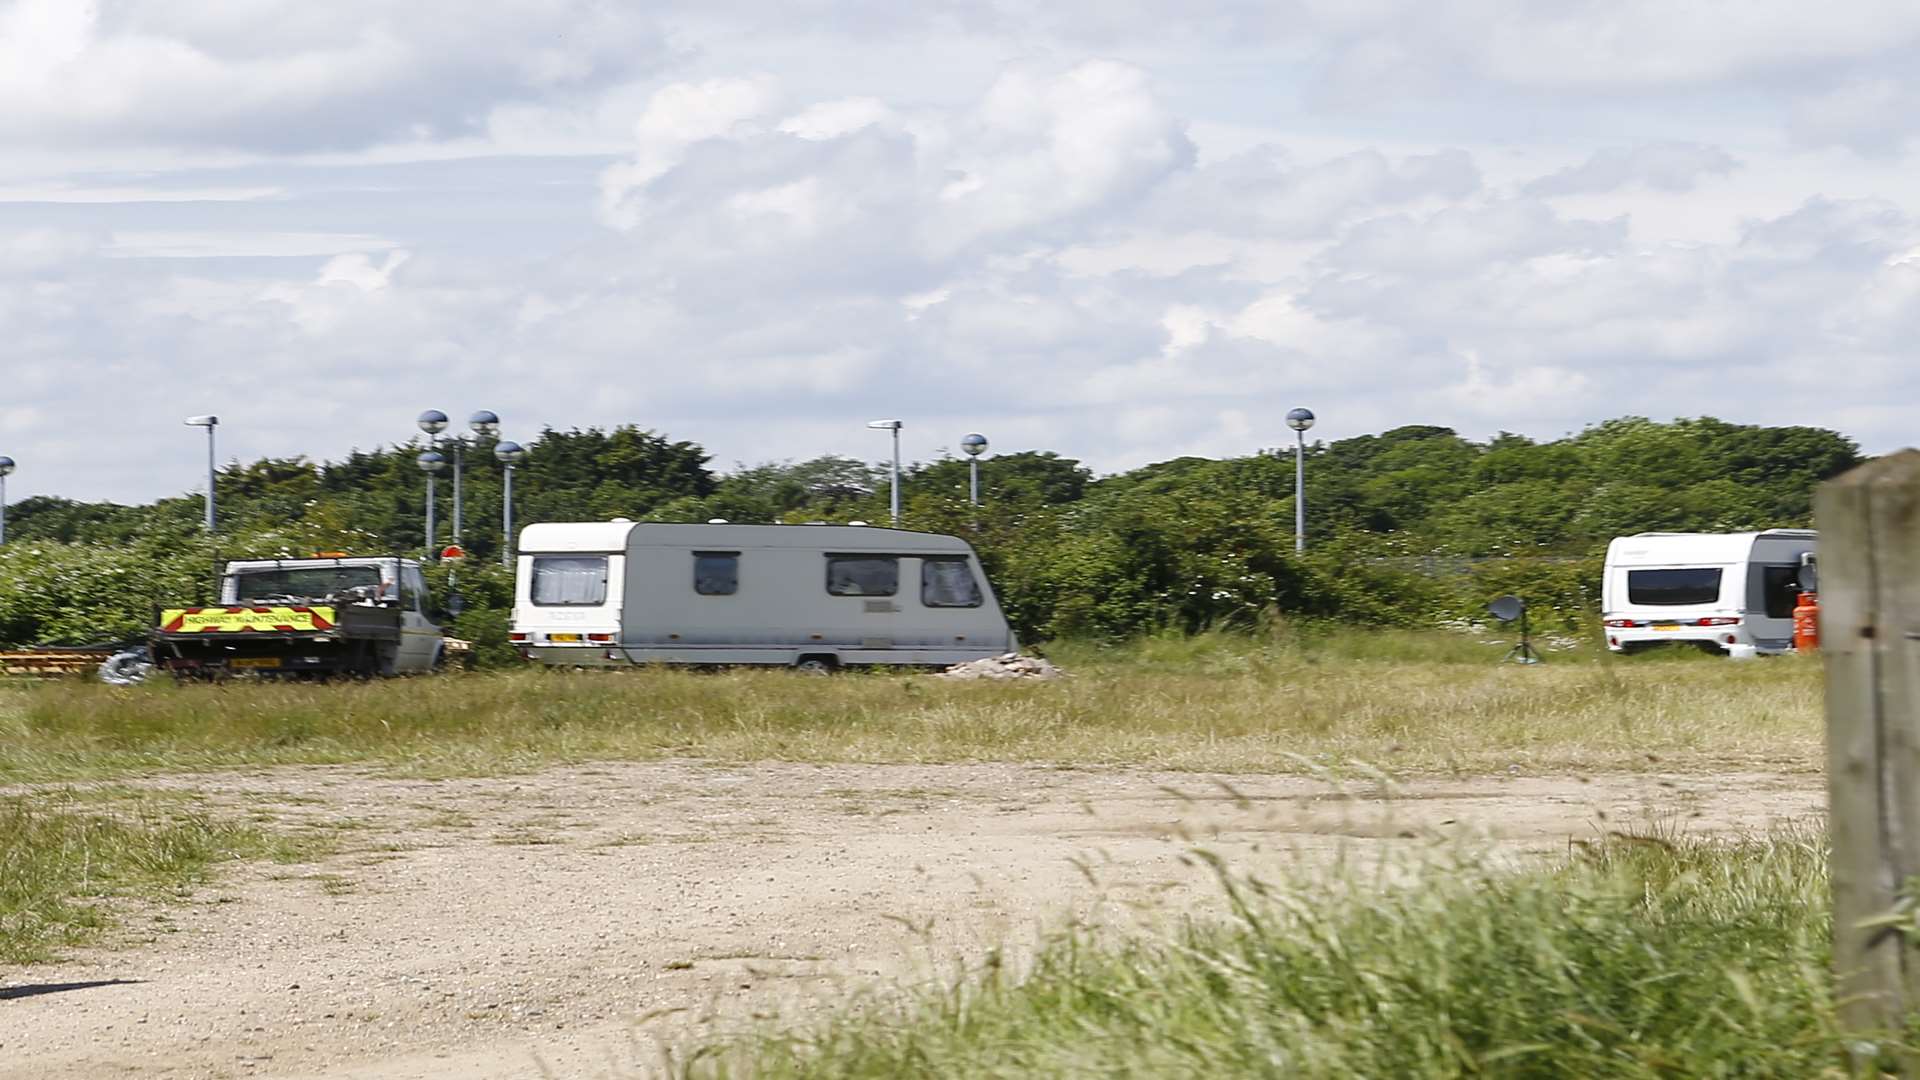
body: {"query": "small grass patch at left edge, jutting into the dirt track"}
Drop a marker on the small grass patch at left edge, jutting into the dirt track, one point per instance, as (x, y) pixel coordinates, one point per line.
(66, 856)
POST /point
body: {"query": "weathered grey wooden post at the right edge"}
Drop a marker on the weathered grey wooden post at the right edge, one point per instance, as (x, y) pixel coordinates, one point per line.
(1871, 639)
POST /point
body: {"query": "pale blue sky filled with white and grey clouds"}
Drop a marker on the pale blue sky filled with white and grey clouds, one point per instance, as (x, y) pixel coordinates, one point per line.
(1118, 230)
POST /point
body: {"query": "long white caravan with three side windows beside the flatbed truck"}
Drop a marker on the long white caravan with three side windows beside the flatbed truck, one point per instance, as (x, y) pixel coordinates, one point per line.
(813, 597)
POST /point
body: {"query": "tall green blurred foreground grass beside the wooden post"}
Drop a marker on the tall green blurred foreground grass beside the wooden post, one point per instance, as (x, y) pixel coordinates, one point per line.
(1631, 960)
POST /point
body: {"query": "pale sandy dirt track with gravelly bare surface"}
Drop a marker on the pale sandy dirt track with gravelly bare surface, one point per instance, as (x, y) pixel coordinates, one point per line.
(571, 921)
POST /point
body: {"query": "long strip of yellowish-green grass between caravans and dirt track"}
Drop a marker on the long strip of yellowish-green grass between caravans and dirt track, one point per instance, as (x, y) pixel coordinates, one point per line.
(1218, 702)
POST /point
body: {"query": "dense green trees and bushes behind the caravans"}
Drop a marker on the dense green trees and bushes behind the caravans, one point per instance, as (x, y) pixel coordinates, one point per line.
(1416, 526)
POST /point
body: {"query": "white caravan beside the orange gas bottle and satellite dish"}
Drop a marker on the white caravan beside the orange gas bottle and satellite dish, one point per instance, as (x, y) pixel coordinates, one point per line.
(1714, 589)
